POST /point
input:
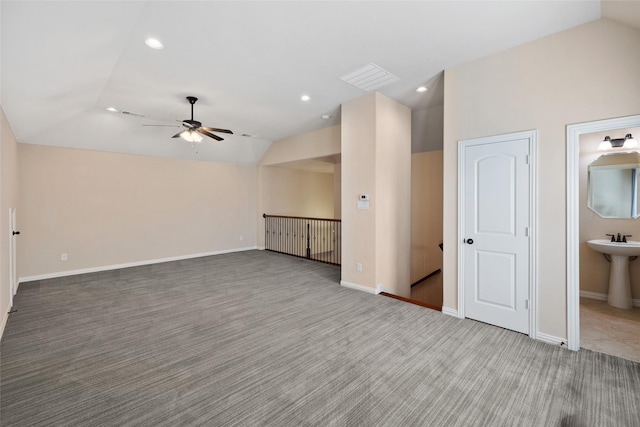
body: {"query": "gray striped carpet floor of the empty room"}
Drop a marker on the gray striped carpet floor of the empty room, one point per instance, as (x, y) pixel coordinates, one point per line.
(258, 338)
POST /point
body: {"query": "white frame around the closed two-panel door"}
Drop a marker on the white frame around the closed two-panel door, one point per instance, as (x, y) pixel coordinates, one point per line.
(532, 136)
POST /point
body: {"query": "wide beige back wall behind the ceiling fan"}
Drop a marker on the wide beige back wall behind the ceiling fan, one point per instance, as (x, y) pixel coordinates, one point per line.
(106, 209)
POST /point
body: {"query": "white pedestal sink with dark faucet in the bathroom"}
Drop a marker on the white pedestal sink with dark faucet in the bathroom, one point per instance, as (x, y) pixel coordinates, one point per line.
(619, 284)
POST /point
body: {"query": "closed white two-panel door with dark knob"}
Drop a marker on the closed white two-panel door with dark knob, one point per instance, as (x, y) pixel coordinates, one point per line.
(495, 225)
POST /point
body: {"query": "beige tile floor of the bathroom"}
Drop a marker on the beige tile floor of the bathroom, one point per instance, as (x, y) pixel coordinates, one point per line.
(610, 330)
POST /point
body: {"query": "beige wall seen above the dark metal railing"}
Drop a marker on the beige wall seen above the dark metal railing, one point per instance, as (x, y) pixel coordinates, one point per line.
(293, 192)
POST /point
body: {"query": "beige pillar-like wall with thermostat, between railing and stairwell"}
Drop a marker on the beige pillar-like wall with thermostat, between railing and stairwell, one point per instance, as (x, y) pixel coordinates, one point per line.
(376, 160)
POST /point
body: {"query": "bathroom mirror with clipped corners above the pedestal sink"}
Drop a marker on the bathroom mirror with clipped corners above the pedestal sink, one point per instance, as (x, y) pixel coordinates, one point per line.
(613, 185)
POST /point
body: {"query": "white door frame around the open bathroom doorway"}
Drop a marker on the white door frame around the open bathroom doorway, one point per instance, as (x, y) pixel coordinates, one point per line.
(573, 216)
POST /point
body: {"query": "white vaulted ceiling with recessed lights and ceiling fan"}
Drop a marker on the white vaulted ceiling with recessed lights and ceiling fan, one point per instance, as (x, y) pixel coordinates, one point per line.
(63, 63)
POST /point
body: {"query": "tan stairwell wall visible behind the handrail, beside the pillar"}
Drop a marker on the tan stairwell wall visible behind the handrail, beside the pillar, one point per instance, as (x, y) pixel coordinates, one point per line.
(426, 213)
